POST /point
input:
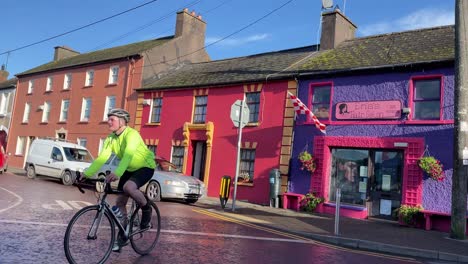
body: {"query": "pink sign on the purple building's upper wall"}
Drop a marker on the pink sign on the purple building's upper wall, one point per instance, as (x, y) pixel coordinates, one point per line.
(368, 110)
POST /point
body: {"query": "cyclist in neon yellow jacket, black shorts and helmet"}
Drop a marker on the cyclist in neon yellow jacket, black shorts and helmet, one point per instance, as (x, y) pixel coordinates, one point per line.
(136, 167)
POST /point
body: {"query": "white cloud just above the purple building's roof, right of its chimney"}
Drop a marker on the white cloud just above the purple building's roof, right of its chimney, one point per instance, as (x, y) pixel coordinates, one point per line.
(424, 18)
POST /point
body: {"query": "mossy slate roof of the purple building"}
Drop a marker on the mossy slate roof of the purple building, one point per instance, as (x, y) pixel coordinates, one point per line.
(402, 48)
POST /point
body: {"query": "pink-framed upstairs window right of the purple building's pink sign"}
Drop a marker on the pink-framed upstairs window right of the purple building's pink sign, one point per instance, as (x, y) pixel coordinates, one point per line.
(426, 99)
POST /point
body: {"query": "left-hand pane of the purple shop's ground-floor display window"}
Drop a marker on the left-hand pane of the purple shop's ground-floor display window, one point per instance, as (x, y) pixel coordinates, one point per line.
(349, 173)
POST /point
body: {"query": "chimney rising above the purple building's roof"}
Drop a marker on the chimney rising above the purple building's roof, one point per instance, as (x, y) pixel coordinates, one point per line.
(336, 28)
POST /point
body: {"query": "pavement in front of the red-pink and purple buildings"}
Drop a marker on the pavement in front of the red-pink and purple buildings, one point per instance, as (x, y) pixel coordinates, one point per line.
(370, 234)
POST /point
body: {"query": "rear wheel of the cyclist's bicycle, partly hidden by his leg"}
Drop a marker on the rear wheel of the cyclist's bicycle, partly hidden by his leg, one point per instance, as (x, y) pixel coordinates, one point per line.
(145, 241)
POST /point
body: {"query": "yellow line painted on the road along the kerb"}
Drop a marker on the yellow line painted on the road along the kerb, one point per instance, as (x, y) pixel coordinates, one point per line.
(273, 231)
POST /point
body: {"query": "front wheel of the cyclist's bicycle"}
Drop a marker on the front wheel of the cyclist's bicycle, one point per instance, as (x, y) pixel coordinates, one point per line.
(90, 236)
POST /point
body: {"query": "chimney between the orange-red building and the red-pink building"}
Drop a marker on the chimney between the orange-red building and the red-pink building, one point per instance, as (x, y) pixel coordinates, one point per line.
(189, 23)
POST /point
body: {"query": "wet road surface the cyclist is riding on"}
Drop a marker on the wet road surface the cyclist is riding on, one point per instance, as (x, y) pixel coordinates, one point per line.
(34, 215)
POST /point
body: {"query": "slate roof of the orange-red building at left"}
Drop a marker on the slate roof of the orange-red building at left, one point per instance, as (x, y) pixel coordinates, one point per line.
(100, 55)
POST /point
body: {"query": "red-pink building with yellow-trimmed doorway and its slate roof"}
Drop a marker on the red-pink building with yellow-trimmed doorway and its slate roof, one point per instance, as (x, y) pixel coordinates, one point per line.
(186, 117)
